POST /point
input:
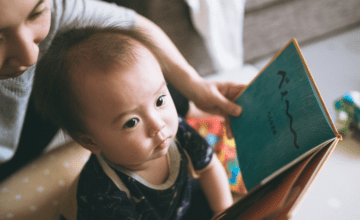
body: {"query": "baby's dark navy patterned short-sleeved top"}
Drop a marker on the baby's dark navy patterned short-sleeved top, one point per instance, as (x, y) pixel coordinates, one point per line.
(99, 198)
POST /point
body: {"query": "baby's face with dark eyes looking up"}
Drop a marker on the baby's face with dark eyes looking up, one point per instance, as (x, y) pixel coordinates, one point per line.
(129, 113)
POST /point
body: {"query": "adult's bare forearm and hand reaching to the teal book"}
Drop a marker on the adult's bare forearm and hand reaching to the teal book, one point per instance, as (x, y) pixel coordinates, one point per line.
(211, 97)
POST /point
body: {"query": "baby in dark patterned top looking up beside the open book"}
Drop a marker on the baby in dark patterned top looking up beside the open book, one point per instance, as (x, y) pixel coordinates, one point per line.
(105, 88)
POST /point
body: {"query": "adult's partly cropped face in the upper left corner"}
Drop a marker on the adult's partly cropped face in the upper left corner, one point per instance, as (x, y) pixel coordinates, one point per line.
(23, 25)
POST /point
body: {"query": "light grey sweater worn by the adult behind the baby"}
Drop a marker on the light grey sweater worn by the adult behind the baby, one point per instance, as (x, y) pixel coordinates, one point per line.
(15, 92)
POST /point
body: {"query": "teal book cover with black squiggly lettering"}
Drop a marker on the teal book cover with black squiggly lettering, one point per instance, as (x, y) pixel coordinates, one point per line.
(283, 118)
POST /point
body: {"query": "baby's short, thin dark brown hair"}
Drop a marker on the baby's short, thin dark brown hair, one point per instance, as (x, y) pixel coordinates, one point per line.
(105, 46)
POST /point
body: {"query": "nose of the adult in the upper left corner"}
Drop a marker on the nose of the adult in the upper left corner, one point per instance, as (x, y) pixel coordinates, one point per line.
(25, 49)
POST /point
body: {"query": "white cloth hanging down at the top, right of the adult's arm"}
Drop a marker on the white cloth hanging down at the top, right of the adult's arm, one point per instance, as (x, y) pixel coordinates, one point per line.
(220, 23)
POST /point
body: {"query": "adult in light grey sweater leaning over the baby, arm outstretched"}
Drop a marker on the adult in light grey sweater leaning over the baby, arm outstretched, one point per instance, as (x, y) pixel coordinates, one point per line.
(27, 28)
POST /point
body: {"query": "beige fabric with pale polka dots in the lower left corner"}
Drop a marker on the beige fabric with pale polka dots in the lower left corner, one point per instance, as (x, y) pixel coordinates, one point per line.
(42, 189)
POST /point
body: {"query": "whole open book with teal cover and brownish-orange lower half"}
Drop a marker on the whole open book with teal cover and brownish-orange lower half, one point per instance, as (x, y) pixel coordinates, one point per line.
(283, 137)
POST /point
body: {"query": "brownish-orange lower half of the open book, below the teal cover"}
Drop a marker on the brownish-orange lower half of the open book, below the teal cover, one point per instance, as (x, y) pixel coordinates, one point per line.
(278, 198)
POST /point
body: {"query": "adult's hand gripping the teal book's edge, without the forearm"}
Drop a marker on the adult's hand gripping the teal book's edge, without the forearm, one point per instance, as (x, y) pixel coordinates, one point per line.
(217, 98)
